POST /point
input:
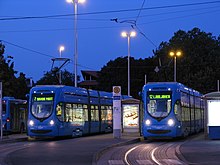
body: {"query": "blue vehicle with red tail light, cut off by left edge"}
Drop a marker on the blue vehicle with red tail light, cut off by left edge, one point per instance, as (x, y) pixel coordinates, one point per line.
(14, 115)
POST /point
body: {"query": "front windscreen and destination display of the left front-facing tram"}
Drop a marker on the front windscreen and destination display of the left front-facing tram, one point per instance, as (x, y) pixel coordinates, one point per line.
(42, 106)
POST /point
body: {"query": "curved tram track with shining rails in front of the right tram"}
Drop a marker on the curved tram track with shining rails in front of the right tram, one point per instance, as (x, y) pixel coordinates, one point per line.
(147, 152)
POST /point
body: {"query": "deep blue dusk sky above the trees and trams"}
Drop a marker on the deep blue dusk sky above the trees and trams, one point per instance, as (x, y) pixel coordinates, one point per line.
(32, 31)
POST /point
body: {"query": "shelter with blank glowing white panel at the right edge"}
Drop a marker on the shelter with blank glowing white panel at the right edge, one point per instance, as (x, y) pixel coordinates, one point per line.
(213, 114)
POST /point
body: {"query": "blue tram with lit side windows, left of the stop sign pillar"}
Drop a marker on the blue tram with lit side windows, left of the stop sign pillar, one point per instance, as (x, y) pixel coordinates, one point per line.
(68, 111)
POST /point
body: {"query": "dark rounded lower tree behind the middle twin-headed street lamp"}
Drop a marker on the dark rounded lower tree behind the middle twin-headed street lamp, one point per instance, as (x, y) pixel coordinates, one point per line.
(115, 73)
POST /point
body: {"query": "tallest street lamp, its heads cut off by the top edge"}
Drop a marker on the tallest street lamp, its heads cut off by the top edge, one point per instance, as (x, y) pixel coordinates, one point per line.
(75, 2)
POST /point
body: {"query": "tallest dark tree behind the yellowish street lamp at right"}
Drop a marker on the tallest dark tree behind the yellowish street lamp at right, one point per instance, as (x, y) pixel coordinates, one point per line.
(198, 68)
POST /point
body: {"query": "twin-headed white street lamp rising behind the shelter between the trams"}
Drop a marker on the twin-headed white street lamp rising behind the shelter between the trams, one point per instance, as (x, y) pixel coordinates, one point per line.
(128, 35)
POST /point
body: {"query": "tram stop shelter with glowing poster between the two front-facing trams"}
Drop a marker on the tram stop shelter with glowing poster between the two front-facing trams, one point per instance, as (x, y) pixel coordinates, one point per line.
(130, 115)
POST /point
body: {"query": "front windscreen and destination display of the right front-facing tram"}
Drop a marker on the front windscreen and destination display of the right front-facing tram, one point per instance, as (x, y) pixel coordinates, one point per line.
(159, 104)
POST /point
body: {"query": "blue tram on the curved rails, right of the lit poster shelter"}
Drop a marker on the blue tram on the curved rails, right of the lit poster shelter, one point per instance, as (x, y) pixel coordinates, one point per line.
(171, 110)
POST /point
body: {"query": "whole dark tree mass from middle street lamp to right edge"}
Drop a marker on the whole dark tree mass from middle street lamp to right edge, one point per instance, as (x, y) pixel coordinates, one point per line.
(197, 68)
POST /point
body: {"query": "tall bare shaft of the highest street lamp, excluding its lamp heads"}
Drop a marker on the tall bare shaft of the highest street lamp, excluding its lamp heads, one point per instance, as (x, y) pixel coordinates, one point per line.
(76, 41)
